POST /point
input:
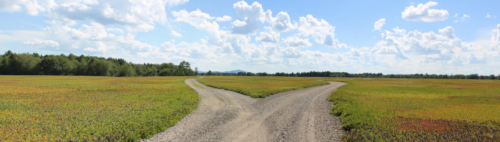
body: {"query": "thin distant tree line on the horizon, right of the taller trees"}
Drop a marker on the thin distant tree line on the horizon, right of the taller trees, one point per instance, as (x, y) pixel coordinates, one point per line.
(357, 75)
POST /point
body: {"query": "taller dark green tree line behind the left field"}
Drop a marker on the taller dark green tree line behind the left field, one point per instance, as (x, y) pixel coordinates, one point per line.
(36, 64)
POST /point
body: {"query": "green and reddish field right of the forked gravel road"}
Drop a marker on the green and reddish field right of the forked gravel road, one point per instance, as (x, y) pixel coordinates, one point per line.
(418, 109)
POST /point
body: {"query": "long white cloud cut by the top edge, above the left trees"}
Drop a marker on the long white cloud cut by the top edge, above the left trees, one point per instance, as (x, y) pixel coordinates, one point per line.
(136, 15)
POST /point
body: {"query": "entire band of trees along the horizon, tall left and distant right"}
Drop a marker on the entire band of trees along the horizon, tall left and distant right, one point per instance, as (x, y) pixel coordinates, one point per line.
(36, 64)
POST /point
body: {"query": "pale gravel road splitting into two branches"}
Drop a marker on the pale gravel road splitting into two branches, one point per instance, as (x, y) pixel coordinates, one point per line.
(300, 115)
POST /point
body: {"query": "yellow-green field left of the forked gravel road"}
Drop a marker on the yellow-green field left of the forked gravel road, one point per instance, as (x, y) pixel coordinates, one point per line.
(77, 108)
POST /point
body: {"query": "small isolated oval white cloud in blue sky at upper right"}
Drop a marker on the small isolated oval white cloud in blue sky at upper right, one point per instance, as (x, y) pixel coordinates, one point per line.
(423, 13)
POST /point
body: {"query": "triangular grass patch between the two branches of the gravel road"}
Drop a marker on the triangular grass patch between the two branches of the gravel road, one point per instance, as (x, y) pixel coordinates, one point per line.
(259, 87)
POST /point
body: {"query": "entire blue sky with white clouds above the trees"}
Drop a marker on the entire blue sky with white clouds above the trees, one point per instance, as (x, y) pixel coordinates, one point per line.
(390, 37)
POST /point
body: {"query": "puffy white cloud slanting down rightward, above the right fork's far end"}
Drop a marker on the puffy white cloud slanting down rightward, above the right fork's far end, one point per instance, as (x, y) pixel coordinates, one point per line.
(321, 30)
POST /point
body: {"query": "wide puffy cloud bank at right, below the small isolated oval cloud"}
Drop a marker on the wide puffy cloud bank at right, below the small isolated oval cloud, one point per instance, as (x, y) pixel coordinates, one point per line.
(428, 47)
